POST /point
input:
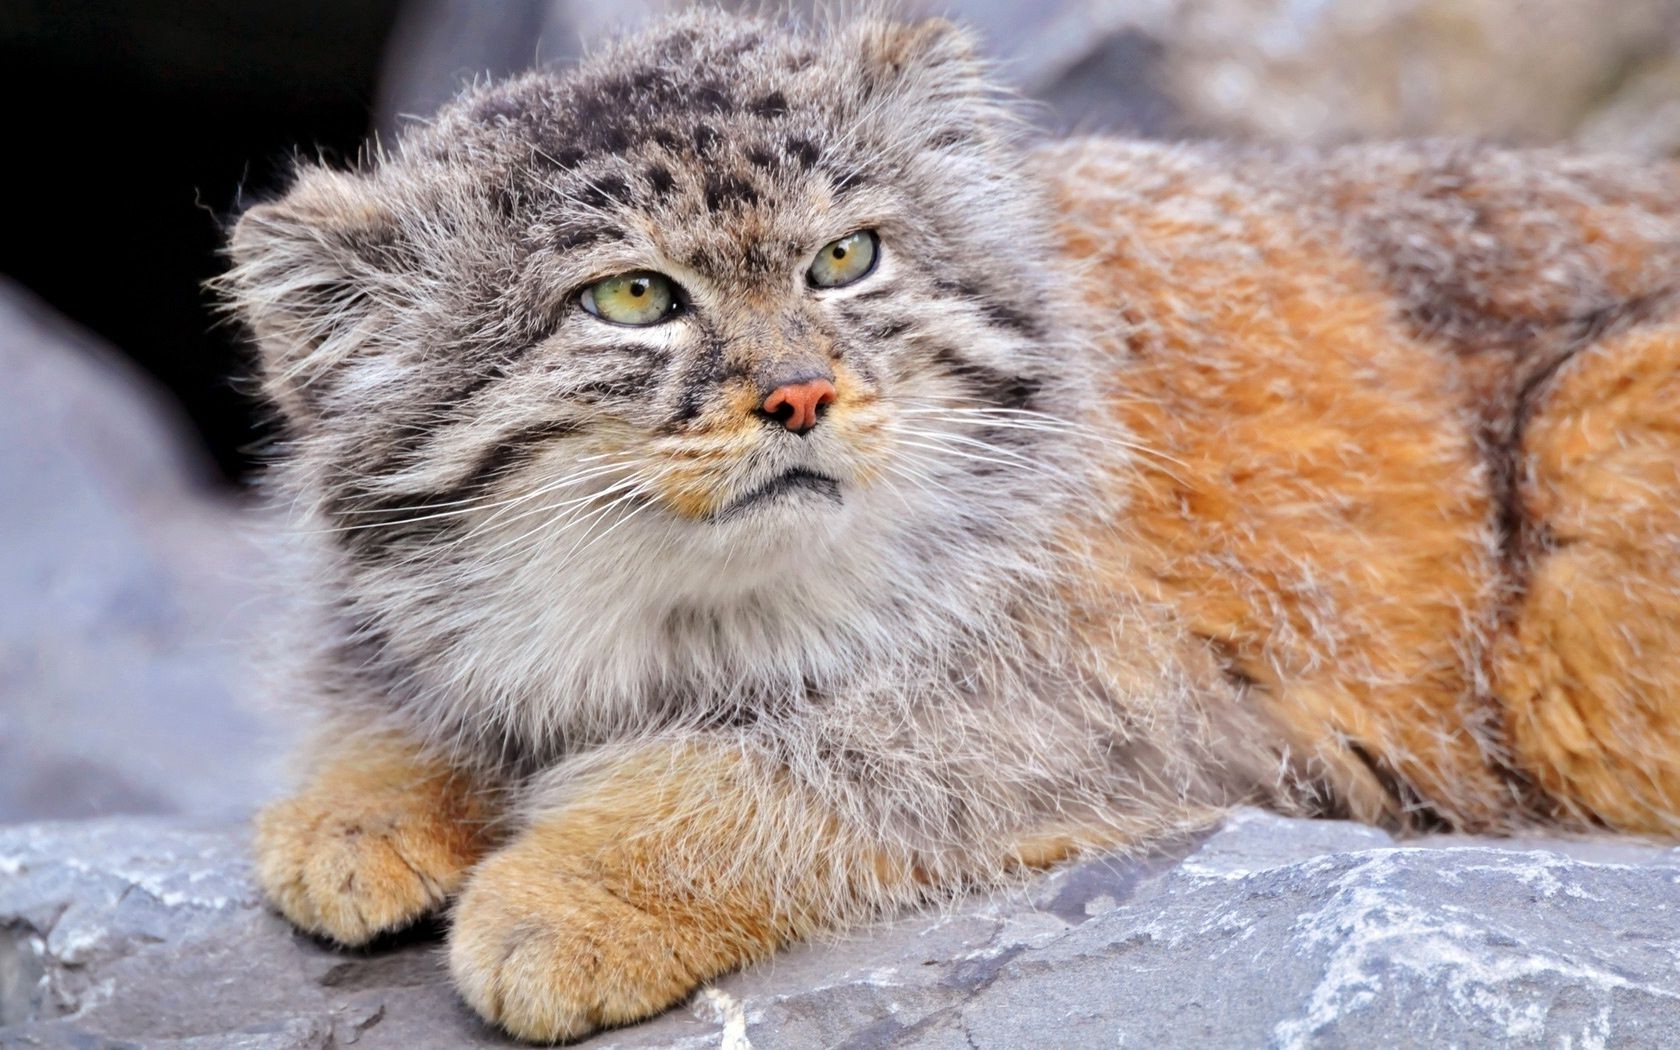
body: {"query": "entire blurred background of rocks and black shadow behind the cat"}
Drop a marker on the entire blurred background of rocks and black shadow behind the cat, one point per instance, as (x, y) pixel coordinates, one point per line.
(132, 560)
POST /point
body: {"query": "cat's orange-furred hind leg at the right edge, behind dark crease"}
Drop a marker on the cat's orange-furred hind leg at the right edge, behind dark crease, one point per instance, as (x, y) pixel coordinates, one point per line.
(1590, 671)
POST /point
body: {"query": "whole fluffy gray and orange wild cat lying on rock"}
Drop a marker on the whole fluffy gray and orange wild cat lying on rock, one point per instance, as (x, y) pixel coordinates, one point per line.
(750, 490)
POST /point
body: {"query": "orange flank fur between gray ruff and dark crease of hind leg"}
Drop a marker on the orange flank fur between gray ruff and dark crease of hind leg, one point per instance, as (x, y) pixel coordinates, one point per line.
(1313, 505)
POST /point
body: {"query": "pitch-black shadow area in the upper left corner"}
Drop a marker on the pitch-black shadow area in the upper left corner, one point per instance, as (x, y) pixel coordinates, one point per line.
(135, 130)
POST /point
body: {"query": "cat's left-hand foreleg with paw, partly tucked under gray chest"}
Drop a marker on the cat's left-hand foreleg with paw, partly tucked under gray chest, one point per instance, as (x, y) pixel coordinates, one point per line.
(379, 836)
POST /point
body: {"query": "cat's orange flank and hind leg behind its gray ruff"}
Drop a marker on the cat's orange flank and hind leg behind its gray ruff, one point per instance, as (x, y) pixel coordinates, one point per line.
(1318, 505)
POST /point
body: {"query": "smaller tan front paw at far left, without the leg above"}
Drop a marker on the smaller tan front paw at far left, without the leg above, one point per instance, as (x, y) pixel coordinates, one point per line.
(352, 873)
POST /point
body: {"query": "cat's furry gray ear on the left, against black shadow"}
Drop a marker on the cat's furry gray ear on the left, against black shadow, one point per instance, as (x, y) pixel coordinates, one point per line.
(310, 276)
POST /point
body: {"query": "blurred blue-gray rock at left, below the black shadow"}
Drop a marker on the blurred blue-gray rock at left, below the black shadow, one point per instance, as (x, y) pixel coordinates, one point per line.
(127, 594)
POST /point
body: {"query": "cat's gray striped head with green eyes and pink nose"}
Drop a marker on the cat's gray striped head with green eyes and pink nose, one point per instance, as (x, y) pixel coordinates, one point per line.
(611, 302)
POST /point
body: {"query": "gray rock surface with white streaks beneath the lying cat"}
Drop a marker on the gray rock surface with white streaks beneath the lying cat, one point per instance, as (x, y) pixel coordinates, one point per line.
(1264, 933)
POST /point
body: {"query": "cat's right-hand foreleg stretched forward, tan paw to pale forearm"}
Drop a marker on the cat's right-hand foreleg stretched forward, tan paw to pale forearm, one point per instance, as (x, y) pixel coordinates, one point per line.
(663, 868)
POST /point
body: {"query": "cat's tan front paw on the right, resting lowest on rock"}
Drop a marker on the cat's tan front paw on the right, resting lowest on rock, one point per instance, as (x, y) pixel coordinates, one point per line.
(552, 955)
